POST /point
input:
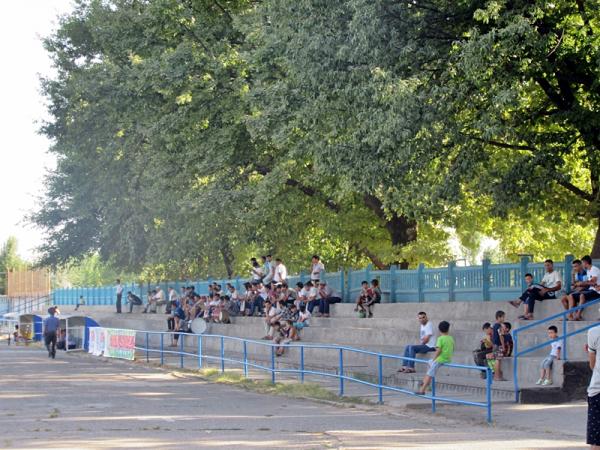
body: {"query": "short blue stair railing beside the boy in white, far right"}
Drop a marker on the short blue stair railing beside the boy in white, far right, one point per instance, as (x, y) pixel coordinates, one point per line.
(565, 336)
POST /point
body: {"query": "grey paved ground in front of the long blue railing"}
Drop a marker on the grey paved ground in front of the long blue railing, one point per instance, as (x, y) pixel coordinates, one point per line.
(82, 402)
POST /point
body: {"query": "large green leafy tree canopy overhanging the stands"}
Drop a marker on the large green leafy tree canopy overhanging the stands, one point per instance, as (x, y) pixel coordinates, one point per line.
(193, 135)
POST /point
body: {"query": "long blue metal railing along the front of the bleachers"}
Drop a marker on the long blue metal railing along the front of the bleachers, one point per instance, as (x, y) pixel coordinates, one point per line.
(302, 369)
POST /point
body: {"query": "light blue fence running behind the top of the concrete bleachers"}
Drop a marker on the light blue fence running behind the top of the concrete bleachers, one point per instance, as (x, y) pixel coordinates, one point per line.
(488, 282)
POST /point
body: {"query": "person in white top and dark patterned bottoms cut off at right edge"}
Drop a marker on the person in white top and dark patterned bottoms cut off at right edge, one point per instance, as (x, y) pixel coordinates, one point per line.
(593, 422)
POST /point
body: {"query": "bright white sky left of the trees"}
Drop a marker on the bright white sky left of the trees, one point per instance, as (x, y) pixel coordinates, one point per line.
(24, 157)
